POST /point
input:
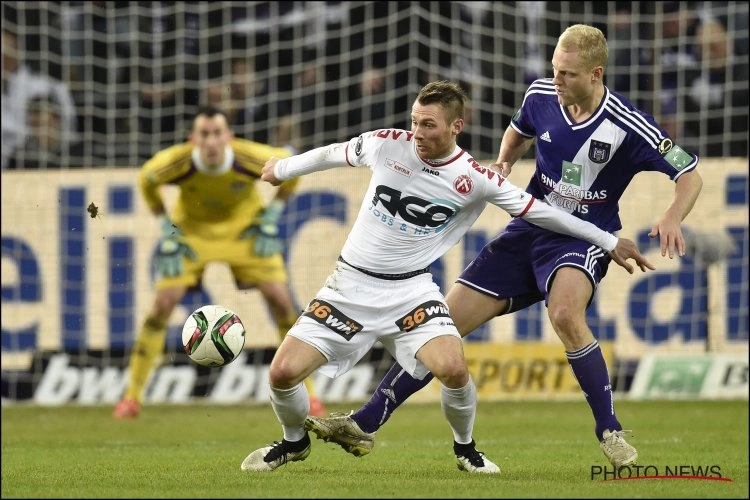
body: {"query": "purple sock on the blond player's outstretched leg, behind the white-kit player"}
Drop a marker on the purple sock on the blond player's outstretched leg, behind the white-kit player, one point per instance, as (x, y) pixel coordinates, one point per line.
(394, 389)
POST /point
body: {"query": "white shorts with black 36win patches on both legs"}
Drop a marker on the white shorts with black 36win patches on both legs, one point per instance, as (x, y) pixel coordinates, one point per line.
(353, 311)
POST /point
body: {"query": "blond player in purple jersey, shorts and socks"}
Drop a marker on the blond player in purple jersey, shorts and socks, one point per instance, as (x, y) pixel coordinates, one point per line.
(591, 141)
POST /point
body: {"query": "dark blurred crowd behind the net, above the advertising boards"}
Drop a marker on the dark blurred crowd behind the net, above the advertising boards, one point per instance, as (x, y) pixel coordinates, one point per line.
(136, 71)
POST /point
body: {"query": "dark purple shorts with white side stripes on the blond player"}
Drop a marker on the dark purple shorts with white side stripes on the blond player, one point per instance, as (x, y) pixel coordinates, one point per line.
(521, 262)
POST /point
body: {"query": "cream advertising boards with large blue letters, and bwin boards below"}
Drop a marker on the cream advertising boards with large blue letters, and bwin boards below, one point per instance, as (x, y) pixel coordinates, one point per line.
(75, 287)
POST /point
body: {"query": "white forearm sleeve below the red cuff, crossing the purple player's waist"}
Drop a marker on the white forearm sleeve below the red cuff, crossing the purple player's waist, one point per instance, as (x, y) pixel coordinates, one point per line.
(553, 219)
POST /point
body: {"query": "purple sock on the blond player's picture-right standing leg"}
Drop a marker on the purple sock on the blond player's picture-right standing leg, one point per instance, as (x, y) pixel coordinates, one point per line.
(590, 369)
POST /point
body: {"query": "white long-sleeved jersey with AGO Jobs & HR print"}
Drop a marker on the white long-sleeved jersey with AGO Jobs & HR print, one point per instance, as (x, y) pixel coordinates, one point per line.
(415, 210)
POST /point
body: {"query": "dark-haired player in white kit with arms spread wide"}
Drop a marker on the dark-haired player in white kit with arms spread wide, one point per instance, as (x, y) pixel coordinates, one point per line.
(424, 194)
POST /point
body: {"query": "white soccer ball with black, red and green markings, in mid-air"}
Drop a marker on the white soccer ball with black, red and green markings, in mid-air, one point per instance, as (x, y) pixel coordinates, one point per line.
(213, 336)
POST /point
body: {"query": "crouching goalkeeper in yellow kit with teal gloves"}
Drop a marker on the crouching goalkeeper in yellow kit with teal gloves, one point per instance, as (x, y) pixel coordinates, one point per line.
(218, 216)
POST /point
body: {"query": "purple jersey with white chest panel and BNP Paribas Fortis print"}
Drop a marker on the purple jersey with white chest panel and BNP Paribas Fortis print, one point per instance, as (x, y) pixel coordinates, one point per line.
(583, 168)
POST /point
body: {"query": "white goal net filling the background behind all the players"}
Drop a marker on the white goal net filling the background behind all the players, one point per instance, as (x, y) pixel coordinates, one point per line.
(93, 89)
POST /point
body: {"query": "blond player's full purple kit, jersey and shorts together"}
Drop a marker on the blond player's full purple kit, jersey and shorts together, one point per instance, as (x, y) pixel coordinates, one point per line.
(581, 168)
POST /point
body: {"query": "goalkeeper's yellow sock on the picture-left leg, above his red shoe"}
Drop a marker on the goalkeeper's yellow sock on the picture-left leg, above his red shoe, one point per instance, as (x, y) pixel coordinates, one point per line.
(148, 346)
